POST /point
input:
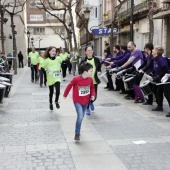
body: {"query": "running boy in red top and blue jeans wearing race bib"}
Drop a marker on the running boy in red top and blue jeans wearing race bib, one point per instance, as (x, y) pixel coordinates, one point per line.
(83, 92)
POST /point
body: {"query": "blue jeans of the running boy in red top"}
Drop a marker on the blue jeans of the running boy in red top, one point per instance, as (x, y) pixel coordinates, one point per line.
(80, 109)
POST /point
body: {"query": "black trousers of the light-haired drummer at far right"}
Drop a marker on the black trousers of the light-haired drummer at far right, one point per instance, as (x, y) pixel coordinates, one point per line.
(158, 92)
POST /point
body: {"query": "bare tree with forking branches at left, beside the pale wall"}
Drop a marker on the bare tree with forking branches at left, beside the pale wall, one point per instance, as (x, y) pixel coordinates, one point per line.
(15, 7)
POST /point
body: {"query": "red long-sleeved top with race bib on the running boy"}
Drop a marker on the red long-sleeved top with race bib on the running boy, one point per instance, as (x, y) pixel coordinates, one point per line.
(83, 89)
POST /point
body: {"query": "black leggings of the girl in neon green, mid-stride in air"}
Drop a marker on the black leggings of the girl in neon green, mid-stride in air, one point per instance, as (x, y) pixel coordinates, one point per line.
(56, 85)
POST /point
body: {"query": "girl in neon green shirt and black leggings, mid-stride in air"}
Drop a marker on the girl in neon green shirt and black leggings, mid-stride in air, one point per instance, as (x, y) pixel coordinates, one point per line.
(52, 65)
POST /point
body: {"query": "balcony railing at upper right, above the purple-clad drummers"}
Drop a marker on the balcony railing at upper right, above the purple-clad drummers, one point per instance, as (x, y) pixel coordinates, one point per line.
(137, 9)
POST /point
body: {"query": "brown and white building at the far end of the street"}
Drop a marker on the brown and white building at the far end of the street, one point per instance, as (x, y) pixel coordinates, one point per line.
(44, 28)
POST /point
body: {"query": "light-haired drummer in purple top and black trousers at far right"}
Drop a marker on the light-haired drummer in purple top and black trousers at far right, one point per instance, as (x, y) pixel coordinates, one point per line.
(160, 69)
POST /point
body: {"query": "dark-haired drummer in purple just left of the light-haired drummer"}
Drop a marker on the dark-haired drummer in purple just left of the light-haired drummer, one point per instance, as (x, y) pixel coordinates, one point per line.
(147, 67)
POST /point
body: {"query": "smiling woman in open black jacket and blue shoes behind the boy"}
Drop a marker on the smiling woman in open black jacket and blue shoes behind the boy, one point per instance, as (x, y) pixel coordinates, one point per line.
(95, 62)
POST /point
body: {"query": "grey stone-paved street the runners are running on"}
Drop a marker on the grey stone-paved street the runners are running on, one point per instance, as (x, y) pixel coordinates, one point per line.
(34, 138)
